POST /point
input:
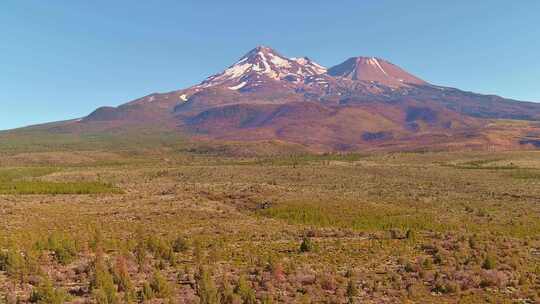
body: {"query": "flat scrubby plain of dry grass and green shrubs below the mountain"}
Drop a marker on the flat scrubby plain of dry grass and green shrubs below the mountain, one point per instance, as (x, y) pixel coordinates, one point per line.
(188, 225)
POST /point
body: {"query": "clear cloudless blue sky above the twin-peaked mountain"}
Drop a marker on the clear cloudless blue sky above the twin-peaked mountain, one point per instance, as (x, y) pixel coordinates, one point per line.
(62, 59)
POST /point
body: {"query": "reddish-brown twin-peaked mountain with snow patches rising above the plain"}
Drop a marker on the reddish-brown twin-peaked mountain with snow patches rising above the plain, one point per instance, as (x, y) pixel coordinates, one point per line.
(361, 104)
